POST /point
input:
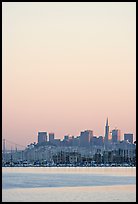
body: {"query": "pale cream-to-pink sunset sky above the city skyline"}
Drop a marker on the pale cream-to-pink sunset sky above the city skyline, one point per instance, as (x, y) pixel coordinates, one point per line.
(66, 67)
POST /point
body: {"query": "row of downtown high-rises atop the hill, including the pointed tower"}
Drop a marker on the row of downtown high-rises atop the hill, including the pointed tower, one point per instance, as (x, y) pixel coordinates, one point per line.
(86, 138)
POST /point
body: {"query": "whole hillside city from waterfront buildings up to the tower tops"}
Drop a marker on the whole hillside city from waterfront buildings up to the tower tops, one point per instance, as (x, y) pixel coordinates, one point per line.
(83, 150)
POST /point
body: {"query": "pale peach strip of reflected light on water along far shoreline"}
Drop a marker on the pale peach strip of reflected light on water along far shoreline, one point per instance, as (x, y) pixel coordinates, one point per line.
(122, 171)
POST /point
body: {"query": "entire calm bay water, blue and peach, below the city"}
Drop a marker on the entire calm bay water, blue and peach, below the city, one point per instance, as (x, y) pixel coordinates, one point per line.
(70, 184)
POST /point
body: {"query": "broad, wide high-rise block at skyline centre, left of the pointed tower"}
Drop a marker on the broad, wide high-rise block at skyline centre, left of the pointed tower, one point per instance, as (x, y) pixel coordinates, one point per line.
(85, 138)
